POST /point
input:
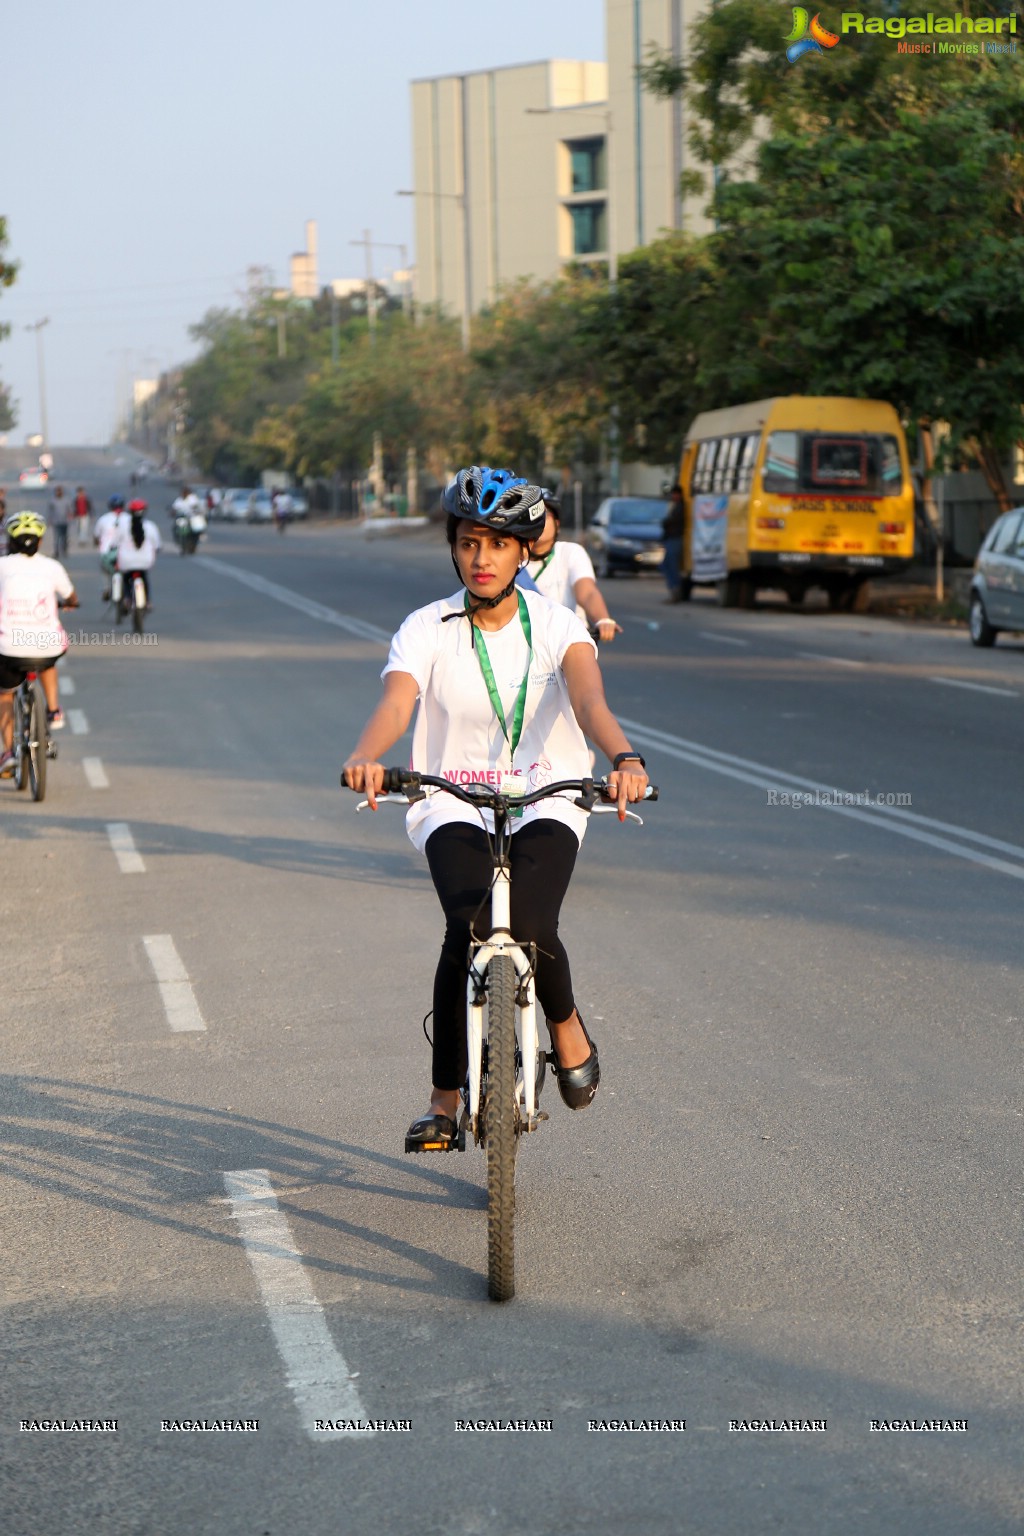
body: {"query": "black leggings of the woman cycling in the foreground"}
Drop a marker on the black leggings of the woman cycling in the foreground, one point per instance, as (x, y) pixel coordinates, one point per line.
(543, 861)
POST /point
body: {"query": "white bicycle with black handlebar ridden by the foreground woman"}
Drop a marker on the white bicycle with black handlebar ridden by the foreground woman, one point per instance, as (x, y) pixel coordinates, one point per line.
(500, 1102)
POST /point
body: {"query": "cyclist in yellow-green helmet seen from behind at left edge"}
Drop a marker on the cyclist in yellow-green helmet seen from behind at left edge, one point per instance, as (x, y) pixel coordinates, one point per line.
(31, 634)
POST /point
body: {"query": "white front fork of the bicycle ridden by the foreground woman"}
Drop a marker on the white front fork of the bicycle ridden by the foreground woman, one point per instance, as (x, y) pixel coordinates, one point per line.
(481, 958)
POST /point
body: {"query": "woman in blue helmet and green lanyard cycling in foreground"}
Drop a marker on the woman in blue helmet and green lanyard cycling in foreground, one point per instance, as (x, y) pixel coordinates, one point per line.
(509, 686)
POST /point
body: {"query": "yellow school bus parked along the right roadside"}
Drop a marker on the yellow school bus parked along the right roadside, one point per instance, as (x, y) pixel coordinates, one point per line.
(793, 494)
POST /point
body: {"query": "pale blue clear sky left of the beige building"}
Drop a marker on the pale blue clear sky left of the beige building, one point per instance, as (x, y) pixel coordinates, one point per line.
(154, 153)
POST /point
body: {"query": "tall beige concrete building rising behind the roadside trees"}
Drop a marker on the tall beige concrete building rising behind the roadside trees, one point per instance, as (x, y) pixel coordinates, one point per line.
(523, 168)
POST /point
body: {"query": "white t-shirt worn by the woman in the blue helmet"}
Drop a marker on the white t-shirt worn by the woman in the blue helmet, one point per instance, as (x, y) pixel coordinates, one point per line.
(457, 732)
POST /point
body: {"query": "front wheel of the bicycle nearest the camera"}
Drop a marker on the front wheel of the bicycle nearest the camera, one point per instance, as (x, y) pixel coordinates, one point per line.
(501, 1130)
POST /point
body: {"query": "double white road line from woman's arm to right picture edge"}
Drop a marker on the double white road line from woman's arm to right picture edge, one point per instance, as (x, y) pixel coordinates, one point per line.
(888, 816)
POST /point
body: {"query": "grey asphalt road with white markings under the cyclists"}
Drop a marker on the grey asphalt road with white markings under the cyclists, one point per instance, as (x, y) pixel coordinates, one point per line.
(796, 1199)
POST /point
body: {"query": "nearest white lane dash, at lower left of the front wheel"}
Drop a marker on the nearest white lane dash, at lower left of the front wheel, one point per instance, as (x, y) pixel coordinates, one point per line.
(317, 1372)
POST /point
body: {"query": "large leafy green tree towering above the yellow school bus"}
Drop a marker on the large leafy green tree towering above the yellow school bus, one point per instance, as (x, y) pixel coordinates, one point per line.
(871, 240)
